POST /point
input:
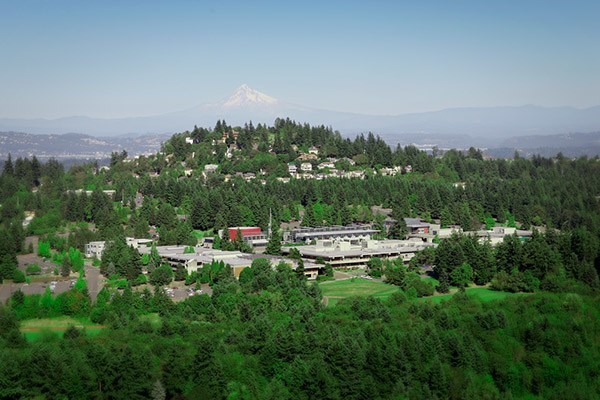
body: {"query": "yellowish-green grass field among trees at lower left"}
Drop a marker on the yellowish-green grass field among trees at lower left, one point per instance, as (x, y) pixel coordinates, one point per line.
(34, 329)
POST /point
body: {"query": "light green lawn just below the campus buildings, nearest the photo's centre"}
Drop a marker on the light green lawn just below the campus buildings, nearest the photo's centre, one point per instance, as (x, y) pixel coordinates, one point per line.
(336, 290)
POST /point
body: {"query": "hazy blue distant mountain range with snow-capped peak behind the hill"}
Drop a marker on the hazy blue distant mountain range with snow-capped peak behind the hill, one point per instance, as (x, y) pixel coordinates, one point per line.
(455, 127)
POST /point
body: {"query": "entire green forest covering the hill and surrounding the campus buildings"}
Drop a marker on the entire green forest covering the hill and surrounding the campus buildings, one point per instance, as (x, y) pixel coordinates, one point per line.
(268, 335)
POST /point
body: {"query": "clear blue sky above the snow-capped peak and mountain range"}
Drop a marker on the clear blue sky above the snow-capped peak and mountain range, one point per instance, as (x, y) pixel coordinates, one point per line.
(128, 58)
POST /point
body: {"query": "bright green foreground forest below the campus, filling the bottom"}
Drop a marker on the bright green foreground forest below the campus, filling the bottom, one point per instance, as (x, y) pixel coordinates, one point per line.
(269, 337)
